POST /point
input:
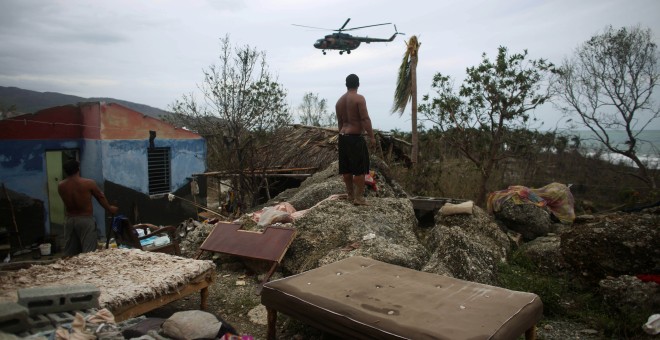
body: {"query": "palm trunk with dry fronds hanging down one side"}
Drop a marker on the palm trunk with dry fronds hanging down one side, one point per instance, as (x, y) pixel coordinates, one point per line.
(406, 89)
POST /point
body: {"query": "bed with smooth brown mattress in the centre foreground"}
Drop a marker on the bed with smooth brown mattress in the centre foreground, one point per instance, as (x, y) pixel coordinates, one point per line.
(361, 298)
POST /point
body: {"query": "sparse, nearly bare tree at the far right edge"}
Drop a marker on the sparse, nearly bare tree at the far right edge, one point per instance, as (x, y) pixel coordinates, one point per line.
(609, 84)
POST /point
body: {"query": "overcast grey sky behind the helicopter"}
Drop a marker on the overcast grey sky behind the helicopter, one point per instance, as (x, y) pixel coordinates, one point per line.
(153, 51)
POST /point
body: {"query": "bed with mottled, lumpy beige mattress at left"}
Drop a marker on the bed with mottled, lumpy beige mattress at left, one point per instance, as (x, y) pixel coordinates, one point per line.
(131, 282)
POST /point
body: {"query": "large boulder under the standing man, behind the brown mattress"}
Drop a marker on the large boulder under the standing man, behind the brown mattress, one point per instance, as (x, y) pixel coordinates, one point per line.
(336, 229)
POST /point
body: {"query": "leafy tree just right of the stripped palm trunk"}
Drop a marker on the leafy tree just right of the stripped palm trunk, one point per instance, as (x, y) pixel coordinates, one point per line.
(481, 120)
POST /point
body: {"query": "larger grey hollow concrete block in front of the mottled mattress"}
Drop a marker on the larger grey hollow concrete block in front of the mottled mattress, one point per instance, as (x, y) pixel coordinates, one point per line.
(53, 299)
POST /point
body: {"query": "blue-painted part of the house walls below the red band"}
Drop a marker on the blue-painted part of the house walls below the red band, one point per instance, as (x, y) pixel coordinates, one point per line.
(23, 165)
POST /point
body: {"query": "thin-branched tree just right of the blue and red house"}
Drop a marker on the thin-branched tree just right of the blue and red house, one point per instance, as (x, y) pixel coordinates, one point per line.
(242, 101)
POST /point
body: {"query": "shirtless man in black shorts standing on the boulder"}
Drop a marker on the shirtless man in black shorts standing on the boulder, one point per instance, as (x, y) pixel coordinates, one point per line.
(353, 119)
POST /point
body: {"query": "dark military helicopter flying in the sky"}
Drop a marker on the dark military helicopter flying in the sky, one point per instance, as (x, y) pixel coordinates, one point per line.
(345, 42)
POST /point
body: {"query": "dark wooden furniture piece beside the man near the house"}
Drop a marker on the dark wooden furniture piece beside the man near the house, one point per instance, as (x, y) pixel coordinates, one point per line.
(127, 235)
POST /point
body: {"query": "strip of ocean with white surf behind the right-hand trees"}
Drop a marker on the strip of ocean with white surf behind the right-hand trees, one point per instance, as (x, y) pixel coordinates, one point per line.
(647, 148)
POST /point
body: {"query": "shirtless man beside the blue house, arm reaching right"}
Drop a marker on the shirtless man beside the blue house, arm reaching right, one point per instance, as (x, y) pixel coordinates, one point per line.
(80, 230)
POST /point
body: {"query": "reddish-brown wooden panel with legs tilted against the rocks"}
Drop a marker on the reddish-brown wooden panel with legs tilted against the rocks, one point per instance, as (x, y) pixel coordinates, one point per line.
(269, 245)
